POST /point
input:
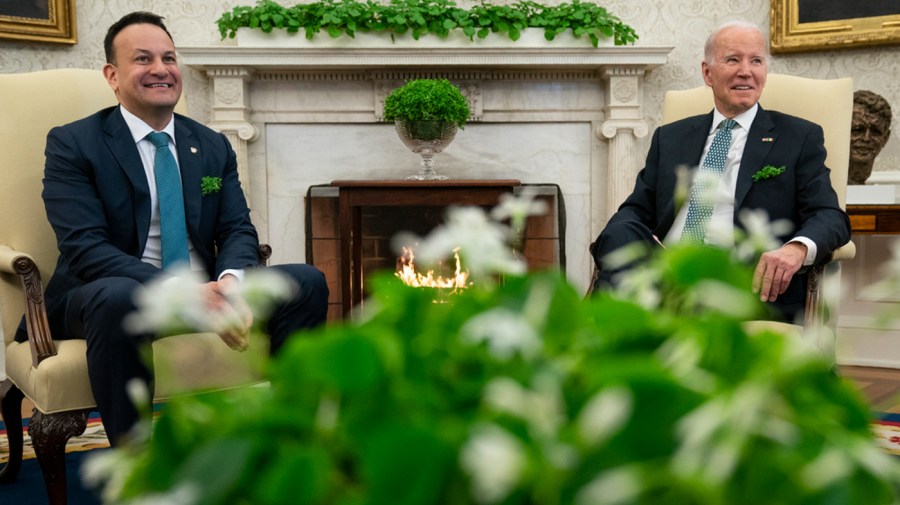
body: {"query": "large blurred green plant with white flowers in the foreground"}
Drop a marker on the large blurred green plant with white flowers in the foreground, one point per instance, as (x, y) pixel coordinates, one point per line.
(523, 392)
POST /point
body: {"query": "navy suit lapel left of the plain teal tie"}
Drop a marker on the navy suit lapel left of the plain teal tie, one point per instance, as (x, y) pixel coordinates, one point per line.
(122, 146)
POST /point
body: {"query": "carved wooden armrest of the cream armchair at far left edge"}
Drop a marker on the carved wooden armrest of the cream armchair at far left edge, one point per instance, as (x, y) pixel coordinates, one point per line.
(36, 323)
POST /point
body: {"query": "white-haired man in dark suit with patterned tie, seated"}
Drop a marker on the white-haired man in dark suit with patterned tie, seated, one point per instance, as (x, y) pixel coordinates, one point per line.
(735, 66)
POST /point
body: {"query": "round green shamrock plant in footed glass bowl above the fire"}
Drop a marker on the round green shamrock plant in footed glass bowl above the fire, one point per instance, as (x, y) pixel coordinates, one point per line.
(426, 114)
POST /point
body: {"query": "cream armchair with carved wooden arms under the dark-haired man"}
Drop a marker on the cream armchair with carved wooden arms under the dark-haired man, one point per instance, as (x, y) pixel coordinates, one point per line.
(52, 373)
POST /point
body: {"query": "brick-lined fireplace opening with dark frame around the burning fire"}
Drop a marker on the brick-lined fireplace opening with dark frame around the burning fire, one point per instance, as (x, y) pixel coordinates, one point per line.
(374, 212)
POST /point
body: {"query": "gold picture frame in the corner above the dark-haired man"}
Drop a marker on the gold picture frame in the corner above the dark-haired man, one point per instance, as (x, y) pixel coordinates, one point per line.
(38, 20)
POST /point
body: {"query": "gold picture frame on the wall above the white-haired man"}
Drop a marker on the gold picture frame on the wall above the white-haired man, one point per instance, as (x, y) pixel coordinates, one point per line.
(816, 25)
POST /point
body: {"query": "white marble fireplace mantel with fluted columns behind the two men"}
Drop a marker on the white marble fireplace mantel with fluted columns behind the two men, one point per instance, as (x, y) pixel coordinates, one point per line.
(302, 117)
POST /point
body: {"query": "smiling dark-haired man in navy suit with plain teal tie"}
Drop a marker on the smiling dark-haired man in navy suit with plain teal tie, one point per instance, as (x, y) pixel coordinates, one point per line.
(101, 199)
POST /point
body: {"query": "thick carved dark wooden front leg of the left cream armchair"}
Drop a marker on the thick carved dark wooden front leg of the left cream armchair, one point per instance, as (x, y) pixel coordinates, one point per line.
(49, 434)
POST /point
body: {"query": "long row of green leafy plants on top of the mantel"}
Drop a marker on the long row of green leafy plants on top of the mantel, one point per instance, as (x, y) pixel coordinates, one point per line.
(441, 18)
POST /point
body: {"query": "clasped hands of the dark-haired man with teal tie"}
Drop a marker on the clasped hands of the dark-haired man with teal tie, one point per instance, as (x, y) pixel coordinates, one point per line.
(235, 318)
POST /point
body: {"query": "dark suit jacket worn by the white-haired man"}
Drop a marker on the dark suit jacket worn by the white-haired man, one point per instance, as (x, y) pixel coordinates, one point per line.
(802, 195)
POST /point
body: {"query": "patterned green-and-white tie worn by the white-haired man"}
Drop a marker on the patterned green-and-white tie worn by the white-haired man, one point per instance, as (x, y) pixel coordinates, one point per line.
(701, 206)
